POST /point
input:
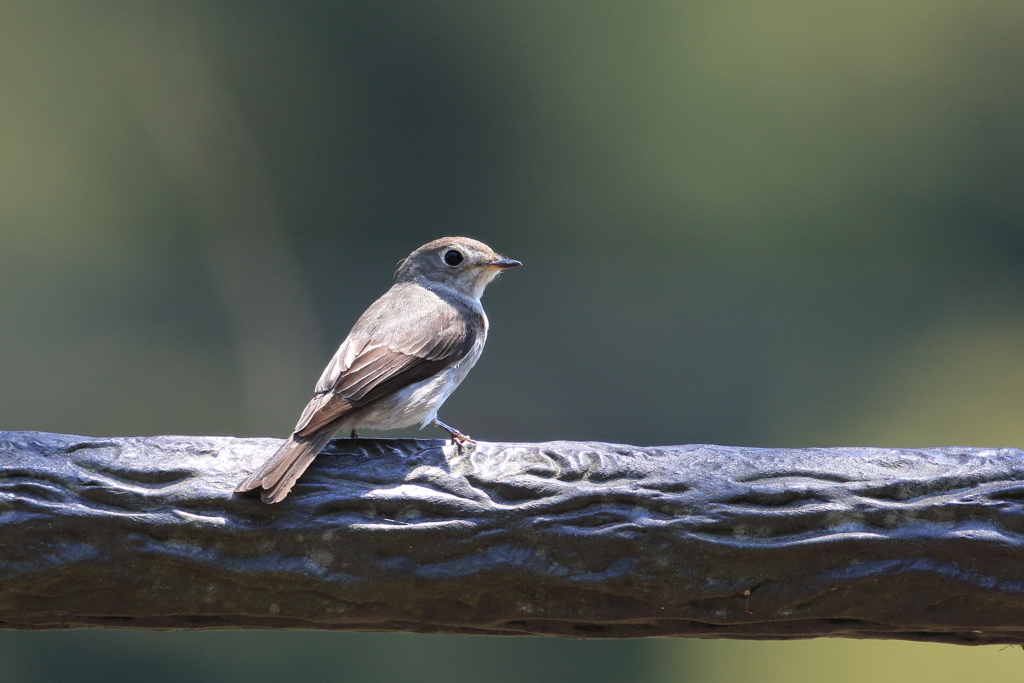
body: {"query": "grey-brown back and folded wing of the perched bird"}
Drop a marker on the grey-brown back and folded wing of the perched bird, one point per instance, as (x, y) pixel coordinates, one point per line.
(406, 336)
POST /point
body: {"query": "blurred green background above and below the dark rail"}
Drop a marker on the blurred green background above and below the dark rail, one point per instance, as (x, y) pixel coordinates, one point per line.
(776, 224)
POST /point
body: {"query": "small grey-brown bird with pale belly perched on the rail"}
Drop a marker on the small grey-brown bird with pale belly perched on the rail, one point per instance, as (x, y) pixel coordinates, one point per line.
(402, 360)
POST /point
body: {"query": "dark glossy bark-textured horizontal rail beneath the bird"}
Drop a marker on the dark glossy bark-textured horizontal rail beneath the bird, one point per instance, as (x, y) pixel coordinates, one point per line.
(565, 539)
